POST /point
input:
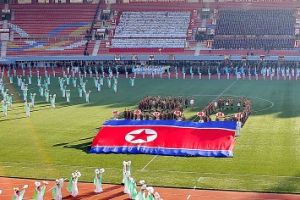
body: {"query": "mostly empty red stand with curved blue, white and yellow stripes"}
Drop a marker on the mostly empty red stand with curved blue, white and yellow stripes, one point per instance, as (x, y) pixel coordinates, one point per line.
(47, 29)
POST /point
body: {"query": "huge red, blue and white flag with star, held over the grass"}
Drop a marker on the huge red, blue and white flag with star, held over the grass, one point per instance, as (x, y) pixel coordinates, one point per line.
(166, 137)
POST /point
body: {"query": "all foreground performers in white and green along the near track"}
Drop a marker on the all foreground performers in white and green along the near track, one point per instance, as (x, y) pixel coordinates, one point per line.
(130, 186)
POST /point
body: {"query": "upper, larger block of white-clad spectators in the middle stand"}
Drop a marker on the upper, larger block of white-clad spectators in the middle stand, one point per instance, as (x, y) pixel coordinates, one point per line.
(153, 24)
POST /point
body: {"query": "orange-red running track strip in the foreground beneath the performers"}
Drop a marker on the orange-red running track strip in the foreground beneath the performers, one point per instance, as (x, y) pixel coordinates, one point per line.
(115, 192)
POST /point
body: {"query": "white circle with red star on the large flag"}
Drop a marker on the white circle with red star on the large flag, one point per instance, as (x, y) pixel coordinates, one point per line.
(141, 136)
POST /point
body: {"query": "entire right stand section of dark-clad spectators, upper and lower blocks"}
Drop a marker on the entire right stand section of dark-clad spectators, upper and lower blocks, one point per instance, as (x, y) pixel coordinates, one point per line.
(255, 29)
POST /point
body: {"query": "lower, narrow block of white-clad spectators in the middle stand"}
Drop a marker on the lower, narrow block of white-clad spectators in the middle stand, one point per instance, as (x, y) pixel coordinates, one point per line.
(147, 43)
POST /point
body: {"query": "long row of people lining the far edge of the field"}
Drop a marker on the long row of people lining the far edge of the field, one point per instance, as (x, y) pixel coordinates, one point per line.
(226, 67)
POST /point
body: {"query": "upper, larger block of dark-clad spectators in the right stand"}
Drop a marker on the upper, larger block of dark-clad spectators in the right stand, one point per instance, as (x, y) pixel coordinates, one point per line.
(256, 22)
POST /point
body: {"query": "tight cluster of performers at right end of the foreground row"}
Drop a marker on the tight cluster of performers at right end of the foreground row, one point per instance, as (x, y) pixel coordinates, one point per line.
(130, 186)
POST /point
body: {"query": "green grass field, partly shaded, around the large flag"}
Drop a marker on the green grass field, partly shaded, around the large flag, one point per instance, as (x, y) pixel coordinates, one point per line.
(53, 143)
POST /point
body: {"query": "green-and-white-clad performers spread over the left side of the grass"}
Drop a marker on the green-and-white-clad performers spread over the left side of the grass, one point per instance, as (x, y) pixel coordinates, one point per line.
(43, 84)
